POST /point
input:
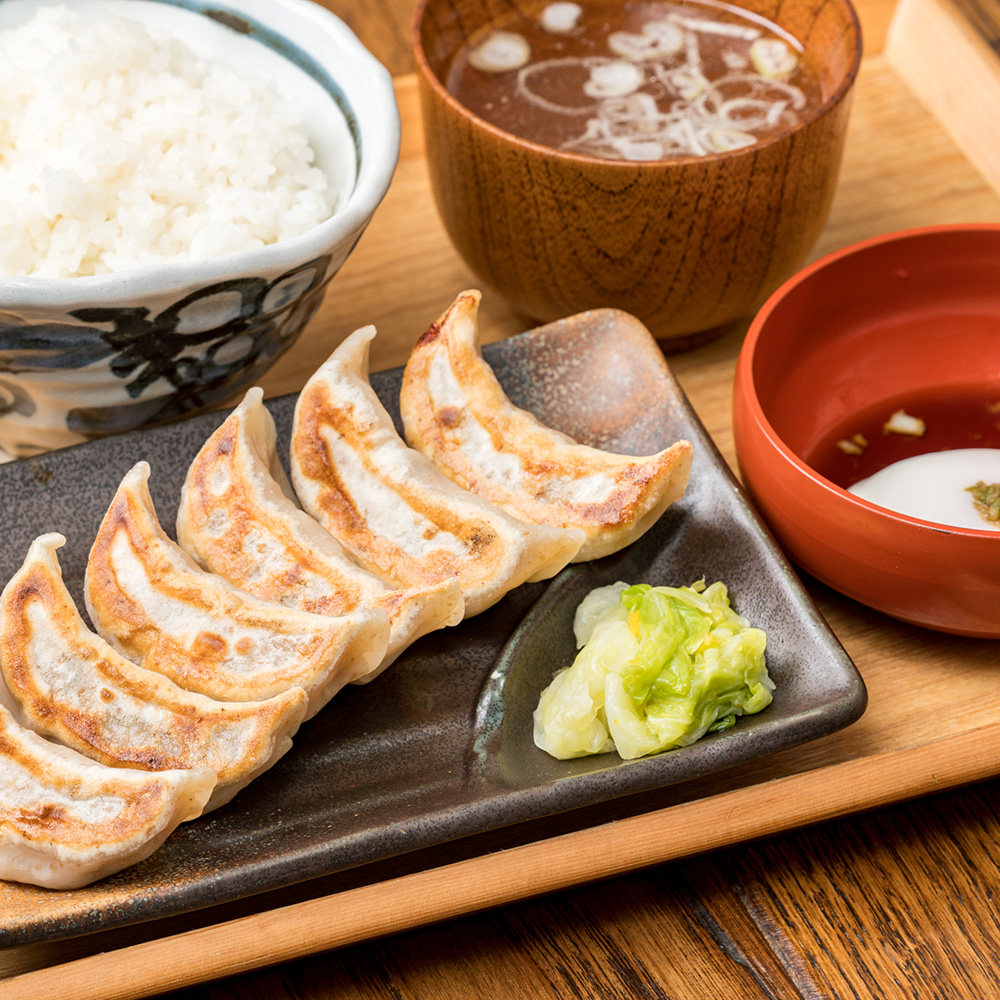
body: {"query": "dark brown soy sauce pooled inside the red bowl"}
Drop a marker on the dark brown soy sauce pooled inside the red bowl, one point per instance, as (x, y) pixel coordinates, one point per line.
(964, 416)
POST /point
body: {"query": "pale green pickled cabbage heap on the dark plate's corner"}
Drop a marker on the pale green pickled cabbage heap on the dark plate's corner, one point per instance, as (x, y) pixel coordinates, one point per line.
(658, 668)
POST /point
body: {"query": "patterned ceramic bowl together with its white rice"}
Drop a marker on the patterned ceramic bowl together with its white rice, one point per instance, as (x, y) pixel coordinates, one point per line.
(179, 181)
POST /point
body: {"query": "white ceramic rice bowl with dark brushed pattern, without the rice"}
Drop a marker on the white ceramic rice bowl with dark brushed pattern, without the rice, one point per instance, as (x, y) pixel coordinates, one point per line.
(84, 357)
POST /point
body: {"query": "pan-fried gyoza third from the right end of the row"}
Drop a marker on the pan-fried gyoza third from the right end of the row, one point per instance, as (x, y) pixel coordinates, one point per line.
(237, 519)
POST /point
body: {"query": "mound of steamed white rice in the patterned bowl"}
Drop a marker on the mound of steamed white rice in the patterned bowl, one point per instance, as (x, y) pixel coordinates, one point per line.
(120, 149)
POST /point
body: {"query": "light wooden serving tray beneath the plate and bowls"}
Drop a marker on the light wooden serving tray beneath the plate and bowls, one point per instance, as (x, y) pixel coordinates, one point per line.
(931, 695)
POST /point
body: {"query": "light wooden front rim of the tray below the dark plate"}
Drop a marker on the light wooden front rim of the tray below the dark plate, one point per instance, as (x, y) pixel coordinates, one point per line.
(437, 894)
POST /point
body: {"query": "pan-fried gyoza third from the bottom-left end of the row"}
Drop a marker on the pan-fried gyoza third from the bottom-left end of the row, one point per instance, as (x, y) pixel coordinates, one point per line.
(156, 606)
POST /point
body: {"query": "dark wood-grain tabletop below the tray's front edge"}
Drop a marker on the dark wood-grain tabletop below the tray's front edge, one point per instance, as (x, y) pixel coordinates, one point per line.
(895, 904)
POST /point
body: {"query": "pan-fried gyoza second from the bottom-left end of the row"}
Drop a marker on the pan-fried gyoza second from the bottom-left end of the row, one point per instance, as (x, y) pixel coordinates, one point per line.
(71, 685)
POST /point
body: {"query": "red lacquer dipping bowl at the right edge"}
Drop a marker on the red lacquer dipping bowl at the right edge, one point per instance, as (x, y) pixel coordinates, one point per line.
(908, 315)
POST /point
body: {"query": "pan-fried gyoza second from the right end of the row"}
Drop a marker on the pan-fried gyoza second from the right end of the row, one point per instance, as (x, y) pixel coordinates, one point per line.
(387, 504)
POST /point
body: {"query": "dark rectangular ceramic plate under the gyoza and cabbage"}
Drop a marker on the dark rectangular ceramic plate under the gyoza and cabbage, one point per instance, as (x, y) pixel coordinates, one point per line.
(439, 747)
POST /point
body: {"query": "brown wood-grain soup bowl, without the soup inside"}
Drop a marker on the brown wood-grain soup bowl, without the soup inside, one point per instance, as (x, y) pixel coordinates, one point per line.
(688, 245)
